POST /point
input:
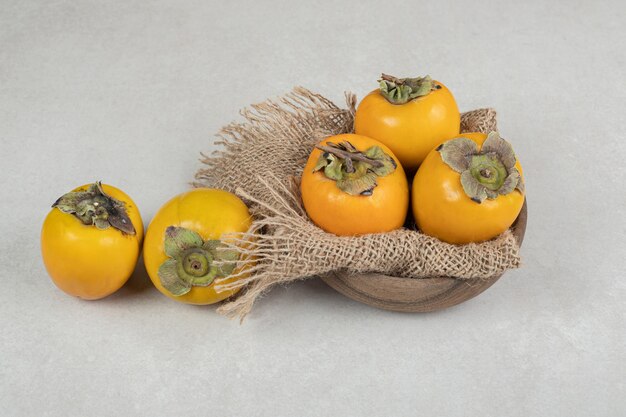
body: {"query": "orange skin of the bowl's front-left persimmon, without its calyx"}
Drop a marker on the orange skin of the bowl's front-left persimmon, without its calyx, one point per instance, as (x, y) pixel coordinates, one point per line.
(340, 213)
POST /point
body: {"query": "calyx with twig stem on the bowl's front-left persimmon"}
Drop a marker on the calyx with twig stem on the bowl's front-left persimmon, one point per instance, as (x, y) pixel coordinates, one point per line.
(354, 171)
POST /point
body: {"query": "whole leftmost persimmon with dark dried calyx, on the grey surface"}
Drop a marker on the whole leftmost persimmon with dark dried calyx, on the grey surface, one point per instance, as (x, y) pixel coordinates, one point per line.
(91, 240)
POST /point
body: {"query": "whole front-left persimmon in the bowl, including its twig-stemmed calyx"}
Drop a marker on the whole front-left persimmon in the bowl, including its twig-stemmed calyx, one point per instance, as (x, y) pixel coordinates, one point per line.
(353, 185)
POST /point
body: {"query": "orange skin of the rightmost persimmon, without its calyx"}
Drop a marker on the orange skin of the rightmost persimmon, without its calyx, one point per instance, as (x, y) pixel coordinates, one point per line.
(443, 210)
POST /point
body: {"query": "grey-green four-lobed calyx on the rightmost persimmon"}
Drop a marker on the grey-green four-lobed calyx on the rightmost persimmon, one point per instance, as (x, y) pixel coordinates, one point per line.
(487, 173)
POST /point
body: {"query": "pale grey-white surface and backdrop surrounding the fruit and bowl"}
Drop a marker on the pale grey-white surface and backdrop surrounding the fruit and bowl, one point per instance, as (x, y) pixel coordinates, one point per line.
(130, 91)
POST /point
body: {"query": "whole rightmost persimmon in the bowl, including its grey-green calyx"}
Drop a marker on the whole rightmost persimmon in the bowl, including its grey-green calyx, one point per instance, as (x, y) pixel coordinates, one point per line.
(469, 189)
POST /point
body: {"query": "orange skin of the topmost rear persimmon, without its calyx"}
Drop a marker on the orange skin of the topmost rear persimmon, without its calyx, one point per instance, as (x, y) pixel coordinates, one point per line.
(411, 130)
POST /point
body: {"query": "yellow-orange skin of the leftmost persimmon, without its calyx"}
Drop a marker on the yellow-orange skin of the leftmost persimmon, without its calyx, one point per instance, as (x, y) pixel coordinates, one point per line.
(85, 261)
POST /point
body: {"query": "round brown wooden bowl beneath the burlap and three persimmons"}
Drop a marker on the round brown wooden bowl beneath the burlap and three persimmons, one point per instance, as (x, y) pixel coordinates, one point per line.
(415, 295)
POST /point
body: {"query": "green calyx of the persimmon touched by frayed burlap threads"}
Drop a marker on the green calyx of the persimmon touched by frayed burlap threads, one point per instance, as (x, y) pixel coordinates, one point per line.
(193, 261)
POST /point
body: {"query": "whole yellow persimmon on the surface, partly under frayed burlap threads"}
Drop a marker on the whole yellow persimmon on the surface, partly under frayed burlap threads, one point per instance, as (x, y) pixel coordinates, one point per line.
(183, 250)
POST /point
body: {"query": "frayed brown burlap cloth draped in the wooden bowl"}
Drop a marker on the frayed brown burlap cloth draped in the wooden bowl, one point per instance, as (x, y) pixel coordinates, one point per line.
(261, 160)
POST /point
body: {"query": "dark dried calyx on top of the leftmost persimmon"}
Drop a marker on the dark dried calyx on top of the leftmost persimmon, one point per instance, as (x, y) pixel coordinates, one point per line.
(95, 207)
